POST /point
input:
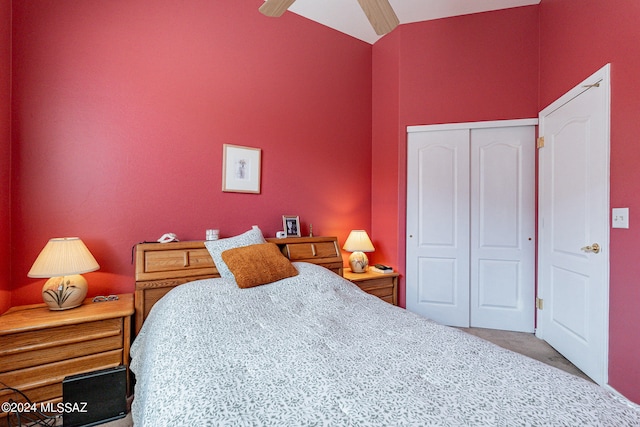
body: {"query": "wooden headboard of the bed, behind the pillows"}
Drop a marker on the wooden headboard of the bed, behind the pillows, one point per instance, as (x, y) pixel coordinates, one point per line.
(161, 267)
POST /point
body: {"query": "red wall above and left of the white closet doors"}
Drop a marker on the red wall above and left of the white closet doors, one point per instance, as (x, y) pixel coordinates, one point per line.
(468, 68)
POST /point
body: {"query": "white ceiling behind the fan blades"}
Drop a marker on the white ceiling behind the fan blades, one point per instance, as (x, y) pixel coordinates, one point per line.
(347, 17)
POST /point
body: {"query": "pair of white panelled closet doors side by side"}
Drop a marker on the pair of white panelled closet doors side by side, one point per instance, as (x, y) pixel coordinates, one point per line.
(470, 226)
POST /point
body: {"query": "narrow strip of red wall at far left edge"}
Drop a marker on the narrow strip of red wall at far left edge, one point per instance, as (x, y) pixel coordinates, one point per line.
(5, 154)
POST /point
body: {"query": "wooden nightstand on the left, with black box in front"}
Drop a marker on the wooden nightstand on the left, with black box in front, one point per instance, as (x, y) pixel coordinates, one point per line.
(39, 347)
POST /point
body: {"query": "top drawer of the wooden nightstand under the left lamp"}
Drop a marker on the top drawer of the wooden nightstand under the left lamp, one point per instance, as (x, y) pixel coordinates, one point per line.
(27, 349)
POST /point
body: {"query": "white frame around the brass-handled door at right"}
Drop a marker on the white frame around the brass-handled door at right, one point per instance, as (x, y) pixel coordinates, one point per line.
(603, 76)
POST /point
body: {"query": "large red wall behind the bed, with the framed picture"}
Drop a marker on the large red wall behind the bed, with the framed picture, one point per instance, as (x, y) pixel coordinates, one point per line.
(121, 108)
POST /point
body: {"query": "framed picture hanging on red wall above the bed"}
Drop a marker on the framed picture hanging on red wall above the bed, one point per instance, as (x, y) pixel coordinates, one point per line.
(241, 169)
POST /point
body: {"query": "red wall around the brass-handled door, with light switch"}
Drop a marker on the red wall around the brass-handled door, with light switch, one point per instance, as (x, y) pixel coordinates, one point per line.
(578, 37)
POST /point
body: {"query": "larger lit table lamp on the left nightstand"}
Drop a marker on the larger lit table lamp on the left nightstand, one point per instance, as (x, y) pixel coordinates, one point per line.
(63, 260)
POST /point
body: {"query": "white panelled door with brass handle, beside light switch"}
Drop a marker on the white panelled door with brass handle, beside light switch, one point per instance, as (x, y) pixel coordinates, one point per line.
(573, 219)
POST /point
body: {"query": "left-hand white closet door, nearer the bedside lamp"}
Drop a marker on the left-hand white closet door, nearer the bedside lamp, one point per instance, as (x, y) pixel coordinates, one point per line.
(438, 226)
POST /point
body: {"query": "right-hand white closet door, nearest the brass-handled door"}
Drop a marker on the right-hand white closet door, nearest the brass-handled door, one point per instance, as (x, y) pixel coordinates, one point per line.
(502, 228)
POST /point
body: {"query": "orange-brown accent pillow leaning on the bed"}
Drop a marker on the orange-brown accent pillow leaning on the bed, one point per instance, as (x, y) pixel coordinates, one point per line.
(258, 264)
